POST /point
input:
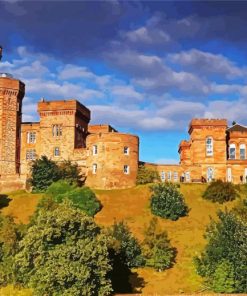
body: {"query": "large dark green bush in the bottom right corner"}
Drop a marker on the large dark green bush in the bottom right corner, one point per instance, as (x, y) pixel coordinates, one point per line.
(223, 263)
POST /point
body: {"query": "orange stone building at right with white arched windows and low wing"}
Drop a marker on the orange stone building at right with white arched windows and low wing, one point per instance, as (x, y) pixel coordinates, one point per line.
(213, 151)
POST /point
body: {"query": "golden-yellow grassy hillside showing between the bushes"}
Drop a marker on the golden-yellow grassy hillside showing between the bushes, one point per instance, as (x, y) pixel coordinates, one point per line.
(132, 206)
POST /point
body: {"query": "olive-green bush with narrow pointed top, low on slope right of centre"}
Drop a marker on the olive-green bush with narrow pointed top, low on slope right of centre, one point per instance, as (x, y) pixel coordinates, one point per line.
(157, 249)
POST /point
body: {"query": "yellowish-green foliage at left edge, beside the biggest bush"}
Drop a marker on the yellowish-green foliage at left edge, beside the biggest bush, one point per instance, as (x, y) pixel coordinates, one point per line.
(10, 234)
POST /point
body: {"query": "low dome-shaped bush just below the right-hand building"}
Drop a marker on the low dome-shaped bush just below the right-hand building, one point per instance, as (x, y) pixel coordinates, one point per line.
(219, 191)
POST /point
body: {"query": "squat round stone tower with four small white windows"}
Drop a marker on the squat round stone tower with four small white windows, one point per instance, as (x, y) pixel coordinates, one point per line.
(110, 160)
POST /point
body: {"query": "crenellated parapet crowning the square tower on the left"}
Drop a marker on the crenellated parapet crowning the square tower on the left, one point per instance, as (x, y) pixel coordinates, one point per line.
(53, 107)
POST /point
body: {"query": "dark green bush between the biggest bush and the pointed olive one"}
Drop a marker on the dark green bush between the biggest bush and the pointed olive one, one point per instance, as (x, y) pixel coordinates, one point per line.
(126, 245)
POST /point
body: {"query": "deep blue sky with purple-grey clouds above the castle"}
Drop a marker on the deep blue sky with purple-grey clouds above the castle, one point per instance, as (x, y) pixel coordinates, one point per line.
(146, 68)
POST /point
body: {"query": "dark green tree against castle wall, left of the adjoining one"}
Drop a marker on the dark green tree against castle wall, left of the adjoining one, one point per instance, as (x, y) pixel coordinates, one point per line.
(44, 172)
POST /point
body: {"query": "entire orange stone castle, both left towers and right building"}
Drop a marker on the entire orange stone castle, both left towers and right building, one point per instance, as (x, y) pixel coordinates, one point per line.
(107, 158)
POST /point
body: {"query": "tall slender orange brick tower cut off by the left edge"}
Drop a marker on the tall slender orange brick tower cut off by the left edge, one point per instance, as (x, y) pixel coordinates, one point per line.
(11, 94)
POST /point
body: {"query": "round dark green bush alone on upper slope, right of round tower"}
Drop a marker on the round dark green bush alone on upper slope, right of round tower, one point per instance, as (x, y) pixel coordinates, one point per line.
(167, 201)
